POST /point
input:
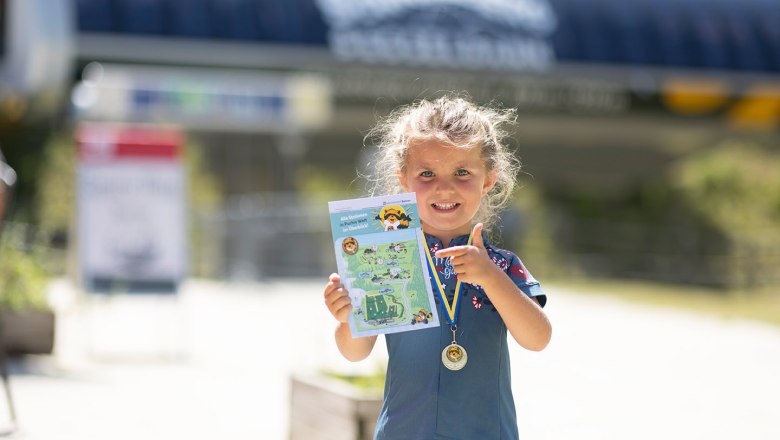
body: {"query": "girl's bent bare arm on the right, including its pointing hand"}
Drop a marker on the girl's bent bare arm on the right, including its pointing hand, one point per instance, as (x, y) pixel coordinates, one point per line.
(523, 317)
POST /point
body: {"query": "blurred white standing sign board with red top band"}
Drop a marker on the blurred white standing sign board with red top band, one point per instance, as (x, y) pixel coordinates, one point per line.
(131, 207)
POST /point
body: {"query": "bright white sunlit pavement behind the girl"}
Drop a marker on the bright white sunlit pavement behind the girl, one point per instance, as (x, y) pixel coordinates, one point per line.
(215, 361)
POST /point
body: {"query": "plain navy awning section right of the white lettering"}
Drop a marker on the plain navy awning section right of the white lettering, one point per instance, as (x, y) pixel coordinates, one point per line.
(741, 35)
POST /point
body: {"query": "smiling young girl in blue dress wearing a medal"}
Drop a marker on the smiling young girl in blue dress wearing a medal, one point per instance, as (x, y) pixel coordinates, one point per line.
(451, 153)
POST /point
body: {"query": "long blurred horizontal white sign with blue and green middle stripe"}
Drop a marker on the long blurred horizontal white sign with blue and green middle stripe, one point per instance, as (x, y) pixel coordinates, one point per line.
(204, 99)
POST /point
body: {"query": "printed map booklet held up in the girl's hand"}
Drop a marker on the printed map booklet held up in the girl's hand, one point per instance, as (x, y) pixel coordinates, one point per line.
(380, 256)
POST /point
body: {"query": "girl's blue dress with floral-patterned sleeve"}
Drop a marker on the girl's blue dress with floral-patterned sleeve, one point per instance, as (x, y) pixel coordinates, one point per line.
(423, 400)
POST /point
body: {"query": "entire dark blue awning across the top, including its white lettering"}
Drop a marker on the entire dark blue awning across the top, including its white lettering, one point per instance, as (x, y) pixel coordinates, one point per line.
(731, 35)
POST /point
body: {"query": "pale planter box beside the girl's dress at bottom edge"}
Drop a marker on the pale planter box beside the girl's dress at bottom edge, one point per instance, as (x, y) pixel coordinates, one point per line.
(323, 408)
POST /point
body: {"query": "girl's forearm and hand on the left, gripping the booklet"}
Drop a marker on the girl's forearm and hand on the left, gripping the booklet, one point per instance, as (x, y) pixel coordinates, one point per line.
(339, 305)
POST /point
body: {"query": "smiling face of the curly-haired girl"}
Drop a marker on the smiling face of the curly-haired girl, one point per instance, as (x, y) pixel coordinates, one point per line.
(449, 182)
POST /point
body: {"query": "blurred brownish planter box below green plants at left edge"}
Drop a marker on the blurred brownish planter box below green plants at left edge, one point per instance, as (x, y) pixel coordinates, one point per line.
(27, 331)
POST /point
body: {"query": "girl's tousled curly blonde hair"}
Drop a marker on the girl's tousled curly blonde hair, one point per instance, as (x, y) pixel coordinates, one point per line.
(452, 120)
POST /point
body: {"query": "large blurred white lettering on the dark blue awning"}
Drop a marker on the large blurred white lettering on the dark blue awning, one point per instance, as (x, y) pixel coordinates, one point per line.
(494, 34)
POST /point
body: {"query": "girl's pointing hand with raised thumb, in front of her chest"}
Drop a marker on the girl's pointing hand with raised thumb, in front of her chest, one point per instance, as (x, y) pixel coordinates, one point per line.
(471, 262)
